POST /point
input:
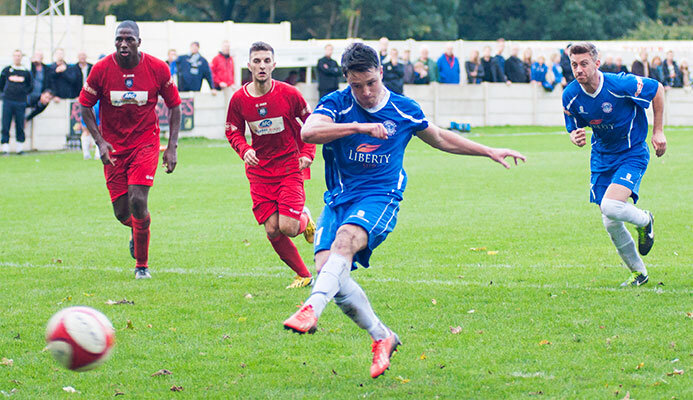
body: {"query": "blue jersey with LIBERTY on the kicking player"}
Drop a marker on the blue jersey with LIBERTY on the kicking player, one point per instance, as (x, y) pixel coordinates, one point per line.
(359, 165)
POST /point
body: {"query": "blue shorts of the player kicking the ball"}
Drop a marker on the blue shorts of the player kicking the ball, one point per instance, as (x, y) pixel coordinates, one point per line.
(377, 215)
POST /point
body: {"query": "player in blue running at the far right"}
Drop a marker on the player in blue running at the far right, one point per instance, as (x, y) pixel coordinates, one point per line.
(614, 107)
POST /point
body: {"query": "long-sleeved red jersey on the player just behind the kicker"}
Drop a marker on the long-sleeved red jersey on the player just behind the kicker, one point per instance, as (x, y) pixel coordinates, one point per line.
(273, 119)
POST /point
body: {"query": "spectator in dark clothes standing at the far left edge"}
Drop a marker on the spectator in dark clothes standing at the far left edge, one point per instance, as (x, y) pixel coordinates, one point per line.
(15, 84)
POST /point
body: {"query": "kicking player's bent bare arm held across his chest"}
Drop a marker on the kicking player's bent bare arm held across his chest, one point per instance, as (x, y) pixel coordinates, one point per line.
(321, 129)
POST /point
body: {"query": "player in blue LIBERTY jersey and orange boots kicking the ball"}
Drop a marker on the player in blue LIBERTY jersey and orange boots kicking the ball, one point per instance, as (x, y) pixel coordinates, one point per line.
(364, 130)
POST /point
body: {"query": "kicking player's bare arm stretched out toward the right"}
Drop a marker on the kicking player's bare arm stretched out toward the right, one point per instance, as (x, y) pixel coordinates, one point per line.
(453, 143)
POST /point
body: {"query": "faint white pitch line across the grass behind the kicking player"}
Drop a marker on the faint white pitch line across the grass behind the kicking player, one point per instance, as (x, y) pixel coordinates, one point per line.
(281, 272)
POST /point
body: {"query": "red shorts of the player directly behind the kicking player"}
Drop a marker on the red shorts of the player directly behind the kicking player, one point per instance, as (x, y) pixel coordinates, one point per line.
(286, 197)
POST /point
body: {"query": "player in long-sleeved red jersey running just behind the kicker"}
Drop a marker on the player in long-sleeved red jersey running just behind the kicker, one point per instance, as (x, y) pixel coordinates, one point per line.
(278, 160)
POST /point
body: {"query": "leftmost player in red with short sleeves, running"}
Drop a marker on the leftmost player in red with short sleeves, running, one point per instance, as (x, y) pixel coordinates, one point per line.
(128, 83)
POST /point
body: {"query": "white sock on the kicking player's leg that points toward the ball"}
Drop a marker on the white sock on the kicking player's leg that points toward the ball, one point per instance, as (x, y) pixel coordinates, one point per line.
(335, 270)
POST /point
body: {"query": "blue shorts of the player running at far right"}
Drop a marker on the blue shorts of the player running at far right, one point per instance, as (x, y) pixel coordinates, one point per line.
(626, 169)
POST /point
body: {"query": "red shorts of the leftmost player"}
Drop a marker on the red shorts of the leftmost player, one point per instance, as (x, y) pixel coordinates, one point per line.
(135, 168)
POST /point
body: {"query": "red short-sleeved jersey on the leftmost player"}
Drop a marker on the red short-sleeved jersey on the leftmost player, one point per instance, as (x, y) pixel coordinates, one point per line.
(128, 100)
